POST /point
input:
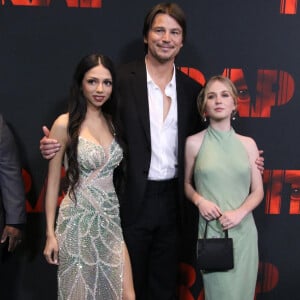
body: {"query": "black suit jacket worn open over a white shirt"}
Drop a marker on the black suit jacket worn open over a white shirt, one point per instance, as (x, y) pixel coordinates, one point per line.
(133, 118)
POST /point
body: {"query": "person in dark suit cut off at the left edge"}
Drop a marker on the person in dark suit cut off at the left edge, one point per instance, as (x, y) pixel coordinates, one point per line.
(12, 196)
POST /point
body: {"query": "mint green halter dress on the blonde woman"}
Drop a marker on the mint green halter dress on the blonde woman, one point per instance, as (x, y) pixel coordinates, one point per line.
(222, 175)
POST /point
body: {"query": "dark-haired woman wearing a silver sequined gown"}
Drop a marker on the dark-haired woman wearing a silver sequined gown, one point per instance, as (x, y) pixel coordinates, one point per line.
(87, 242)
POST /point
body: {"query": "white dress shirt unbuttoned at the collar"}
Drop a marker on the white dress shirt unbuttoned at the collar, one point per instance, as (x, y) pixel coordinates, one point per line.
(164, 133)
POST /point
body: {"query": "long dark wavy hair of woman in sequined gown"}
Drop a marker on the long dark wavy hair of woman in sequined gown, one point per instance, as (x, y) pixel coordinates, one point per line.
(77, 107)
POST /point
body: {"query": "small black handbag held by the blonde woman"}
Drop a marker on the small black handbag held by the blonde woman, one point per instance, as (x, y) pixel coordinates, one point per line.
(215, 254)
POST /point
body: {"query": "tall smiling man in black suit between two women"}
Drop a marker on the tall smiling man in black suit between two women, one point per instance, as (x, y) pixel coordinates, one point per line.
(156, 111)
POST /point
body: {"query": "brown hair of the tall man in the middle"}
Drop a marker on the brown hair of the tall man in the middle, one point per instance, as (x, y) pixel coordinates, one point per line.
(171, 9)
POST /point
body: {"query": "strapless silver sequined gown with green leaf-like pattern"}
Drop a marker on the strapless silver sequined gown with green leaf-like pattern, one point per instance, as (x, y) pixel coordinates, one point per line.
(89, 234)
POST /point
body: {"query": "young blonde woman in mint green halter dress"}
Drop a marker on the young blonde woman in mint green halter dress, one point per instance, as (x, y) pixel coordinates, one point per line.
(223, 181)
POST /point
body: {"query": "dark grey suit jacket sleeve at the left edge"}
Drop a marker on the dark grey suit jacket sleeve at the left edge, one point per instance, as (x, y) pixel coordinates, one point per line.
(12, 195)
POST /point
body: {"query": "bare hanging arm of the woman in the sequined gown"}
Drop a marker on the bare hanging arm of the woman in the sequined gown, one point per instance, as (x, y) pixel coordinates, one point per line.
(58, 132)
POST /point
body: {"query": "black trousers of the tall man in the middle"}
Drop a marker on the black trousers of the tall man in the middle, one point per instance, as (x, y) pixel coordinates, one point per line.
(152, 242)
